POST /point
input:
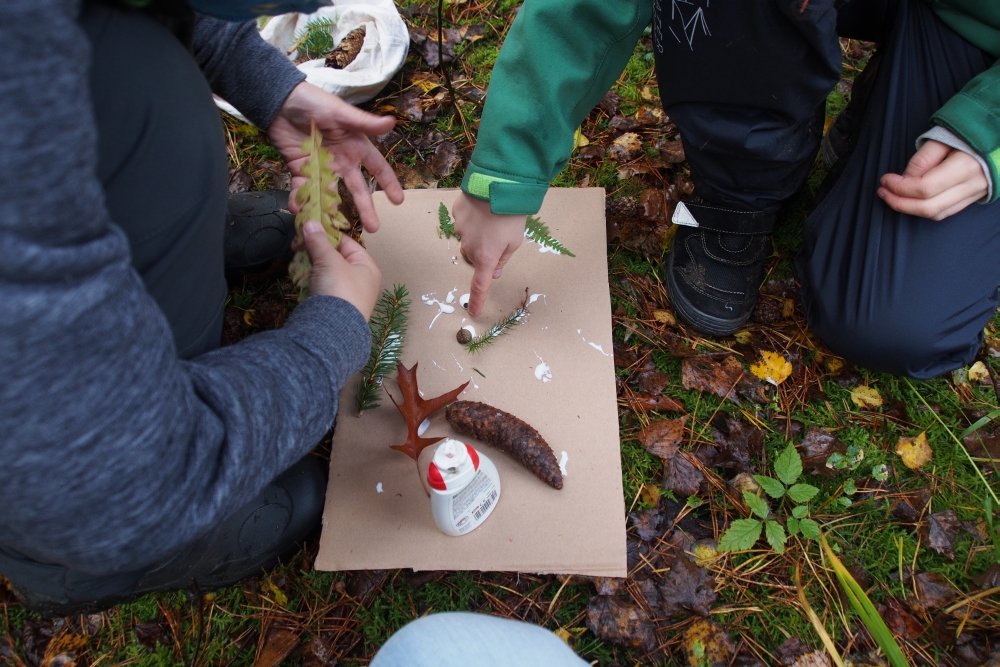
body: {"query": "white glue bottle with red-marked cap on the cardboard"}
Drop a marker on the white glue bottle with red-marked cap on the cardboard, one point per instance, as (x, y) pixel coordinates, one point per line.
(465, 487)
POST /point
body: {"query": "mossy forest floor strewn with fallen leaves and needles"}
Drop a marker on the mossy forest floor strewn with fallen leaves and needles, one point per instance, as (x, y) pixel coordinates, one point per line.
(903, 484)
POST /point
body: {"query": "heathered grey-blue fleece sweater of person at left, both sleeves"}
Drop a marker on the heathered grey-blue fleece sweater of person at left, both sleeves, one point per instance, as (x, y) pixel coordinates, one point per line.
(113, 452)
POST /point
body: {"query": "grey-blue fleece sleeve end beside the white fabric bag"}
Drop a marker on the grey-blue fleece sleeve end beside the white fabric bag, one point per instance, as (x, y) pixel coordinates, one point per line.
(243, 69)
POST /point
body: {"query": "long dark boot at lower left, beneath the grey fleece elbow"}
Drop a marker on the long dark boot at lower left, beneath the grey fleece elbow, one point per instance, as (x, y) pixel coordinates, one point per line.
(254, 539)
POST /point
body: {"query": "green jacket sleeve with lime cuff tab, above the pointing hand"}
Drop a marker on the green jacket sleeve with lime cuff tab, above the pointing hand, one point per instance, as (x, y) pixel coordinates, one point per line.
(558, 60)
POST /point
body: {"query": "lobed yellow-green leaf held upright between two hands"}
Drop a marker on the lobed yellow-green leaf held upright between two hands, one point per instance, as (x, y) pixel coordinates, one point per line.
(319, 201)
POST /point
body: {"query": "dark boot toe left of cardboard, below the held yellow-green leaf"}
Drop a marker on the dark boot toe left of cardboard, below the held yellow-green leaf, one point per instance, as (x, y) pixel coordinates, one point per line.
(259, 228)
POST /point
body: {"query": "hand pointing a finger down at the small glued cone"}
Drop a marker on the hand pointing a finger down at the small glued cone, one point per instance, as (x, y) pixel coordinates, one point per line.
(488, 241)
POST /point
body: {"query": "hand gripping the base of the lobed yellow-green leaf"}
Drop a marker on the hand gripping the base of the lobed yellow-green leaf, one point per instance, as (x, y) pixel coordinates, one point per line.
(348, 271)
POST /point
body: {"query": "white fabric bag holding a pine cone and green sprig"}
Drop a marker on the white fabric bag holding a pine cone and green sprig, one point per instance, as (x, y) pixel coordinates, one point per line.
(381, 57)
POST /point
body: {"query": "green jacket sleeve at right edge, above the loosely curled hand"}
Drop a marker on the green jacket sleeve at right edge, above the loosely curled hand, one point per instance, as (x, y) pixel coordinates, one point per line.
(974, 115)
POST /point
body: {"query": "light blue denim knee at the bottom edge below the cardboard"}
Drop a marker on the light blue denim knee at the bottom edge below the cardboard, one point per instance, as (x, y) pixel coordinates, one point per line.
(459, 639)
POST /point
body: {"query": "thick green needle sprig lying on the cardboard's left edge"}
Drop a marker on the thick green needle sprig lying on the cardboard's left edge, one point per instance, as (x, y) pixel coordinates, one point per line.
(388, 327)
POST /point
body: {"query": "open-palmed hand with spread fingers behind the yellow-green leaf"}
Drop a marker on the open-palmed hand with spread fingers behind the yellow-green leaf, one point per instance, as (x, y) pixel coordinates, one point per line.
(345, 133)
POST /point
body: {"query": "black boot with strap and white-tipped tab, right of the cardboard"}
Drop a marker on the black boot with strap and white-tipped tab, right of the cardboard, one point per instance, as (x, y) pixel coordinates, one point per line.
(716, 265)
